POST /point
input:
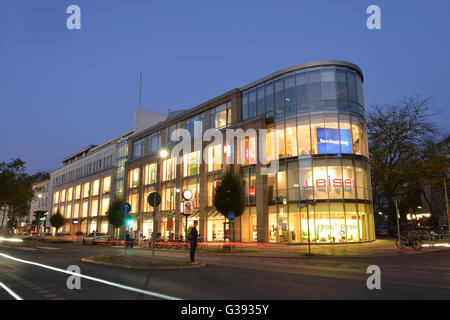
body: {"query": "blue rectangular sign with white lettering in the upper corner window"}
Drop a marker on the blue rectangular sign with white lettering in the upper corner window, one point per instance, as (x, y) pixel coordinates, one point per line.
(328, 140)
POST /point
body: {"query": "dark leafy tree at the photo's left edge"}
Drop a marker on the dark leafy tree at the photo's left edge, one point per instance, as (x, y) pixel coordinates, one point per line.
(15, 188)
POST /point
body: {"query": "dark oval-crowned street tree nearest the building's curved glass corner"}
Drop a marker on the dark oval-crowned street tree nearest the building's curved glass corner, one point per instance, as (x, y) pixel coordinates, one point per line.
(229, 195)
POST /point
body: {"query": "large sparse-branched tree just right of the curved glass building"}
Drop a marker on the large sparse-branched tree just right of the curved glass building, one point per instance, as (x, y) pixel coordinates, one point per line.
(399, 134)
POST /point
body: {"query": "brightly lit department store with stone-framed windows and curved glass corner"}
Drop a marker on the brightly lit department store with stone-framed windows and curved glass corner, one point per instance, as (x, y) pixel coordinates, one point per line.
(313, 113)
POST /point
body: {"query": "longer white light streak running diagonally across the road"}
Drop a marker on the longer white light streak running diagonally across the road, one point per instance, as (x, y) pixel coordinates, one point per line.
(113, 284)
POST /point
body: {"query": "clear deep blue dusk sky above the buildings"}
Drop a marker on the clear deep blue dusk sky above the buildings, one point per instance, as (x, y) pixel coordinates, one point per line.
(61, 90)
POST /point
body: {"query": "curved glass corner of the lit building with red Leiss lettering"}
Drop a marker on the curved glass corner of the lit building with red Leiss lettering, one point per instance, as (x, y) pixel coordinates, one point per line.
(322, 143)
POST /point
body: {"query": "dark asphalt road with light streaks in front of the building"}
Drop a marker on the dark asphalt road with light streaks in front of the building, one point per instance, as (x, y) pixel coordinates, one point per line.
(423, 276)
